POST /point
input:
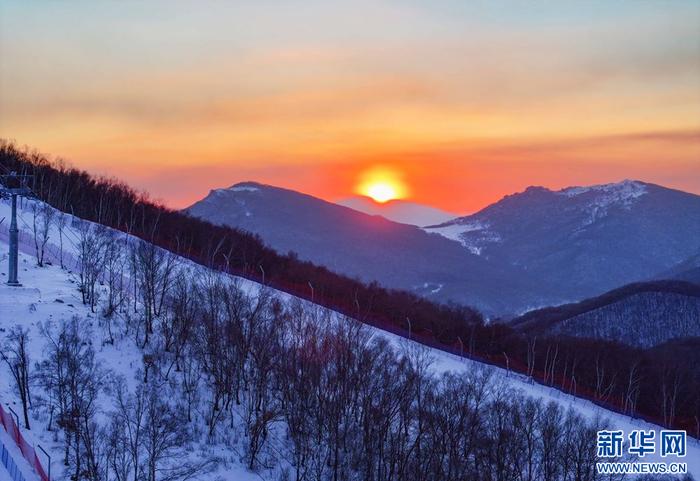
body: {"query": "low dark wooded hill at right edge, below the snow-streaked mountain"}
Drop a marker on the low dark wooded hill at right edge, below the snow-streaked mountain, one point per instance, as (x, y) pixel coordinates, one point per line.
(641, 314)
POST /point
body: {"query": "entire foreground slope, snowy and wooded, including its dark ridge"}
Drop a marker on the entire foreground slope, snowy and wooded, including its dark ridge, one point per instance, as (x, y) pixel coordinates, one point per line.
(154, 340)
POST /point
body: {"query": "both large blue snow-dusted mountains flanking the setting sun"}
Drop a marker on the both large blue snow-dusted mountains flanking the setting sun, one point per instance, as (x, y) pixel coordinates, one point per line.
(531, 249)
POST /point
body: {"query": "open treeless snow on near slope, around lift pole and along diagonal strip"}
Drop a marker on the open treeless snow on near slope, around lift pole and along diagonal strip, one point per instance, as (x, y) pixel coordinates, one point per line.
(50, 294)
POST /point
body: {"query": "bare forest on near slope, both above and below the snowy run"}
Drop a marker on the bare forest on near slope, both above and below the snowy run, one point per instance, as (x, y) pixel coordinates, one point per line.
(348, 405)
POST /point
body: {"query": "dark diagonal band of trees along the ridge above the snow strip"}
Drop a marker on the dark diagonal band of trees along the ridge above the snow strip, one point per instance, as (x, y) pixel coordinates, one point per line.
(657, 384)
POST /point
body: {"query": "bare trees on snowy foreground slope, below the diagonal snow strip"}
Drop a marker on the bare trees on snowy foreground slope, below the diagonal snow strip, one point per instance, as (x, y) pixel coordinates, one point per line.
(293, 391)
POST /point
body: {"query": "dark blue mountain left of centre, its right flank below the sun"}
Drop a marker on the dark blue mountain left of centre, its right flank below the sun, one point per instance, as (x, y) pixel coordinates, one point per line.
(370, 248)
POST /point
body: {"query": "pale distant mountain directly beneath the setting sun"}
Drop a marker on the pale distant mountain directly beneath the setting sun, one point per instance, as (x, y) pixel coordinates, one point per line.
(398, 210)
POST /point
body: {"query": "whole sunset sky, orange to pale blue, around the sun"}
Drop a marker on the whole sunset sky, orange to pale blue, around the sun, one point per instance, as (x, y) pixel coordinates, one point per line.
(467, 102)
